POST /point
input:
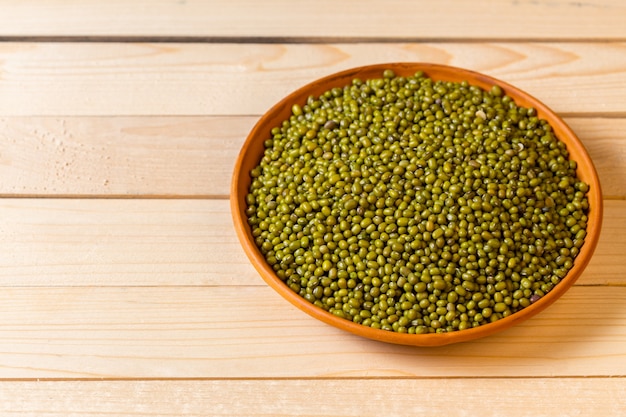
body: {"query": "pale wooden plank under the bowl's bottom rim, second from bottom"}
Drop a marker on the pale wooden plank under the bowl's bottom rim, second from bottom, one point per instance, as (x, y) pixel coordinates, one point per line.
(249, 332)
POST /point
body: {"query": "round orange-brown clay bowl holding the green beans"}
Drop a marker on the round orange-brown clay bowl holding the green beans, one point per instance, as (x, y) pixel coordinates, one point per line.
(252, 150)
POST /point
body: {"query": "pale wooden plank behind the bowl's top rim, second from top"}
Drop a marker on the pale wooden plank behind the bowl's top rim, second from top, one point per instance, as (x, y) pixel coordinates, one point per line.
(241, 79)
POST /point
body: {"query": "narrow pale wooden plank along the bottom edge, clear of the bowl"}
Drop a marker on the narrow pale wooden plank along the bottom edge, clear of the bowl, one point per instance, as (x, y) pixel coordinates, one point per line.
(340, 398)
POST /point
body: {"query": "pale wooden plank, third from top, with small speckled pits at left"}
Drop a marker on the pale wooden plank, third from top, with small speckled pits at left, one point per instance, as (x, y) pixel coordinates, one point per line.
(184, 156)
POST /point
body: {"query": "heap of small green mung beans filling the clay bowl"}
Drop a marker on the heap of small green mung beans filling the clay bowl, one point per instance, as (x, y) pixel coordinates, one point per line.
(417, 206)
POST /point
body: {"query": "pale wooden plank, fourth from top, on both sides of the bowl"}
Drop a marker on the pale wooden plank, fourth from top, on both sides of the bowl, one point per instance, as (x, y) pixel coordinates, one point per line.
(82, 242)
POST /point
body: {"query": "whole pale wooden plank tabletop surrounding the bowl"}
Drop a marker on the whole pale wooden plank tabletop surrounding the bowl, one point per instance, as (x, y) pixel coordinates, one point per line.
(124, 290)
